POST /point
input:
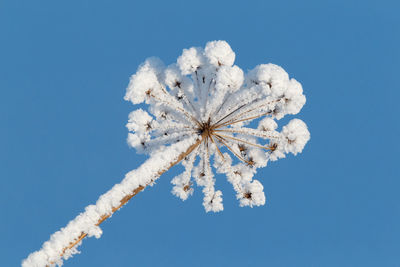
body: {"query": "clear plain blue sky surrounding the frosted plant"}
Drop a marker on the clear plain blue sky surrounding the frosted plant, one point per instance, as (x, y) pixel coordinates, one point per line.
(64, 67)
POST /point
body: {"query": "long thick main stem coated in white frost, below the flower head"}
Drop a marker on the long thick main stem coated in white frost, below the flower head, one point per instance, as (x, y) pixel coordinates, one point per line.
(63, 243)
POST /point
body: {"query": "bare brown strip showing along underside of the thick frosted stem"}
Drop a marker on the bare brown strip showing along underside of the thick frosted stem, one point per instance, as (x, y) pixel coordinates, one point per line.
(125, 199)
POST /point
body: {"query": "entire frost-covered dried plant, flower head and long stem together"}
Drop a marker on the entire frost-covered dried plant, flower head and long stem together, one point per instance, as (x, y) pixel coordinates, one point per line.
(203, 112)
